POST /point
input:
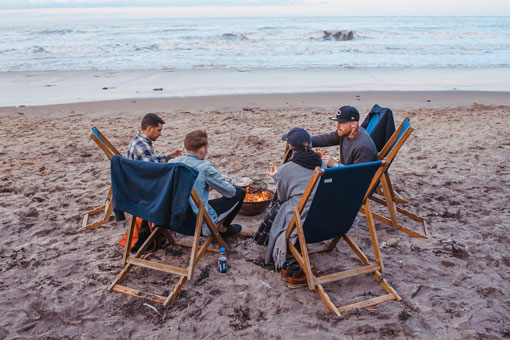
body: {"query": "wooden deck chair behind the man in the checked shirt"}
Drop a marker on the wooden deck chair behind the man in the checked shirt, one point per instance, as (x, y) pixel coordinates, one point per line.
(108, 148)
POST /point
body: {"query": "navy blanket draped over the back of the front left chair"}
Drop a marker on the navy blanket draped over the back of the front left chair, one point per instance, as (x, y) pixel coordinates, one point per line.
(156, 192)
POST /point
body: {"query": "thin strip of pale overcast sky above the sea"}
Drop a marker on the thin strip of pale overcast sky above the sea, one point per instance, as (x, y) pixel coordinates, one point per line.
(283, 7)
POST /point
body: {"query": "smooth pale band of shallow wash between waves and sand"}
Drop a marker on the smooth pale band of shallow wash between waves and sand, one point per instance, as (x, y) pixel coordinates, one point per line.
(40, 88)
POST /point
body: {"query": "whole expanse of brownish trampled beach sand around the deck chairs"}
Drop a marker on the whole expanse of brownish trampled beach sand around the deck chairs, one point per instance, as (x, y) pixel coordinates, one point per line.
(453, 169)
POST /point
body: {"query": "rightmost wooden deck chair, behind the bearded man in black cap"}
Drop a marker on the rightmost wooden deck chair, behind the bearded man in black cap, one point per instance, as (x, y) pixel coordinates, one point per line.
(385, 195)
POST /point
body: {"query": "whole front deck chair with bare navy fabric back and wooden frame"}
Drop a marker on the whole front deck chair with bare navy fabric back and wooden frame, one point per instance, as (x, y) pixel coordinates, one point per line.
(340, 193)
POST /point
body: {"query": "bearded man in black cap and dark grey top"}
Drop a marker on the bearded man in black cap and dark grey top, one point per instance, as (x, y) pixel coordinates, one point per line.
(356, 146)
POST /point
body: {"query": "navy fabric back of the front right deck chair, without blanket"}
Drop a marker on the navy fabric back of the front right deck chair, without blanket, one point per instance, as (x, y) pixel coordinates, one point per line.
(337, 200)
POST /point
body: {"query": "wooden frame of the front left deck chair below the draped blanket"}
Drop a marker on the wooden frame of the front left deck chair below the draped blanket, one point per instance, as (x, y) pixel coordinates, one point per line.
(185, 274)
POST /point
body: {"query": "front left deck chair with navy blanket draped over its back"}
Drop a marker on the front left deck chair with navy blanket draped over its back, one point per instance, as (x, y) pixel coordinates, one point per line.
(163, 217)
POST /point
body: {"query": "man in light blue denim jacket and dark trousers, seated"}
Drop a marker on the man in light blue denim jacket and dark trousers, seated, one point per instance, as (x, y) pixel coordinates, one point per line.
(209, 178)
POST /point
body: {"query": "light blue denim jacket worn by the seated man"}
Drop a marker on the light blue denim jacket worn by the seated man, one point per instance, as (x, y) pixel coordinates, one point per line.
(208, 176)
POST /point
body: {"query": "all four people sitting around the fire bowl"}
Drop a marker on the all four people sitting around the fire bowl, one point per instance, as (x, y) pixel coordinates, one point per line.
(355, 146)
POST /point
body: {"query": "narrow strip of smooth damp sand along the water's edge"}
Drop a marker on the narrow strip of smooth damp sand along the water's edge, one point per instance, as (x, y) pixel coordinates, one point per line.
(363, 100)
